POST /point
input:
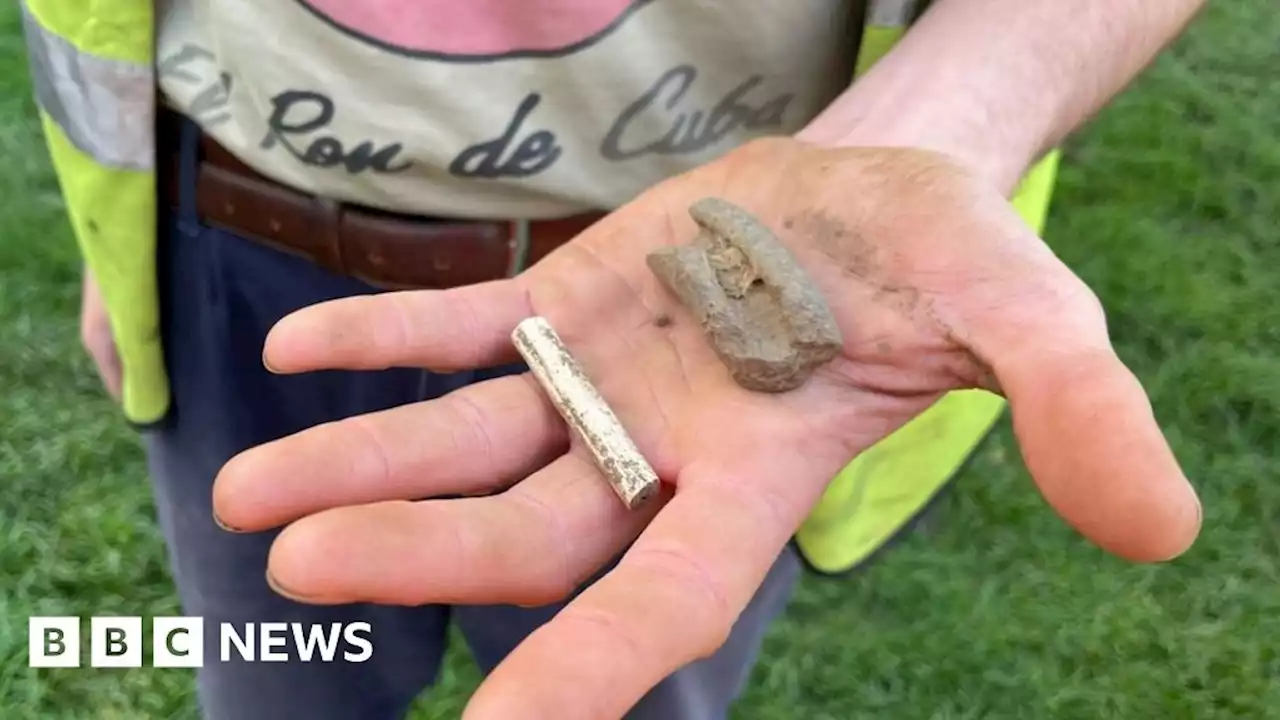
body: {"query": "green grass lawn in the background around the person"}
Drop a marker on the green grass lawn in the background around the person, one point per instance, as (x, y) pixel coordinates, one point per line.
(1168, 207)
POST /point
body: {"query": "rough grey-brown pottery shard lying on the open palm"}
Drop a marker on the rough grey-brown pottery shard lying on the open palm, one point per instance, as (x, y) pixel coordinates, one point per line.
(758, 308)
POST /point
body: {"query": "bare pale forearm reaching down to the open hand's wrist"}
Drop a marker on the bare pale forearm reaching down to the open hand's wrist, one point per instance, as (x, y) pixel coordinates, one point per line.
(999, 83)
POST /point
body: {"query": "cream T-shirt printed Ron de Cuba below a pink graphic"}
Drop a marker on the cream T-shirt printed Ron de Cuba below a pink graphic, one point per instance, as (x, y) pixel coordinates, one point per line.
(499, 108)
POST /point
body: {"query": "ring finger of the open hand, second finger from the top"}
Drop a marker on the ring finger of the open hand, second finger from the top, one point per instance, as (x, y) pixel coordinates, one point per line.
(476, 440)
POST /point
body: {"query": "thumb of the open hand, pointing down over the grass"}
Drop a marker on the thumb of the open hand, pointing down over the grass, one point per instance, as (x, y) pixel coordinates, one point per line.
(1092, 445)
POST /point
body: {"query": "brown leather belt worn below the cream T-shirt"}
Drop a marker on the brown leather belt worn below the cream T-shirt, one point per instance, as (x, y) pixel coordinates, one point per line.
(387, 250)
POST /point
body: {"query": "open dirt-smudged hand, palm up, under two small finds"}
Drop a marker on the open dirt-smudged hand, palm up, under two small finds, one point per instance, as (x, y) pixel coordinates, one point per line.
(935, 284)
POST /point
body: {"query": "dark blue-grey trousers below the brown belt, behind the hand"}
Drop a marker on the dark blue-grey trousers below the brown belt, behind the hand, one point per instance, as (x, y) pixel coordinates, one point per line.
(221, 295)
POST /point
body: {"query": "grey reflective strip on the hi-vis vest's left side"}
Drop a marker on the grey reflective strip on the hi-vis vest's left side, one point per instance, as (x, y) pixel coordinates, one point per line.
(107, 108)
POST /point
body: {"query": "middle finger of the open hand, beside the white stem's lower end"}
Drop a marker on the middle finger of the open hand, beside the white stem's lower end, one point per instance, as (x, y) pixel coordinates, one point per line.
(532, 545)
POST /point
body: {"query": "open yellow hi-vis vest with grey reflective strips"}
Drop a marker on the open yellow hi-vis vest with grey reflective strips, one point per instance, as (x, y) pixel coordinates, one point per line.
(93, 70)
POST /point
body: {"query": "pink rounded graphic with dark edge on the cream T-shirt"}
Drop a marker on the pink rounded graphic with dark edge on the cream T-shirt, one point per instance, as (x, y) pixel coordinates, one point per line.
(476, 30)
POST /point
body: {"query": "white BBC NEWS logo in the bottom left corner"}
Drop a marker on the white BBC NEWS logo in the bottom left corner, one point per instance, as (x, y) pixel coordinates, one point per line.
(180, 642)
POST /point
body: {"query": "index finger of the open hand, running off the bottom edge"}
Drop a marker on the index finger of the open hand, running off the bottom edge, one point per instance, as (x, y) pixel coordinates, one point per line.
(673, 599)
